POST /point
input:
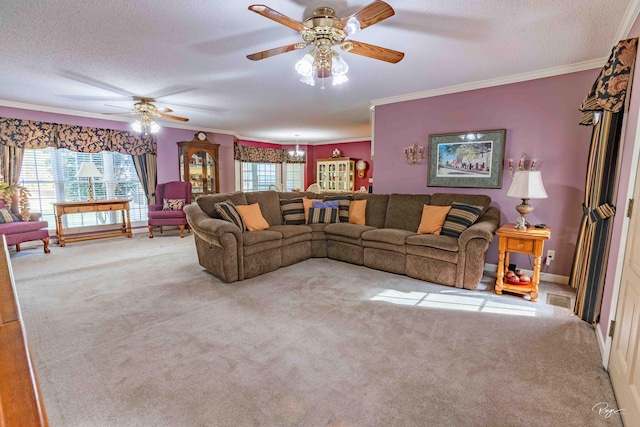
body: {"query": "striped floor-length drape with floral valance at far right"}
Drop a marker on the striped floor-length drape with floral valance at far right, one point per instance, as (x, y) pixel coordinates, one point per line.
(607, 96)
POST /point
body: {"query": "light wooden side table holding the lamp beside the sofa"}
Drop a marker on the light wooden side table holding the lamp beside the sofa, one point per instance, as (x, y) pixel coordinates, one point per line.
(529, 241)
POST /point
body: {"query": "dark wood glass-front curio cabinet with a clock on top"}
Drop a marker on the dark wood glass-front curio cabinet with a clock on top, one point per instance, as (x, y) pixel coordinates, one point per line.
(199, 164)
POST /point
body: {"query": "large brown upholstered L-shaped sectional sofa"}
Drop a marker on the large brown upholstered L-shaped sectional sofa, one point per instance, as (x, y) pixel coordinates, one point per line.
(387, 242)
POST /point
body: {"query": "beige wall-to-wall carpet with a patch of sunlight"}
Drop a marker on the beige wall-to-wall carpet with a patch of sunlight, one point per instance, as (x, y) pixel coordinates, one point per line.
(133, 332)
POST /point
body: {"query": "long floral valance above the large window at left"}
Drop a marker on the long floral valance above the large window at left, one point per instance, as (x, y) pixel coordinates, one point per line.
(83, 139)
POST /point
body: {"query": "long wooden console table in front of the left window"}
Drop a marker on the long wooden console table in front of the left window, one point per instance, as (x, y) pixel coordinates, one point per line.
(63, 208)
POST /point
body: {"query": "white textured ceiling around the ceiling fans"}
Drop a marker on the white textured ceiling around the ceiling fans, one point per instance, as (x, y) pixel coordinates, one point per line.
(191, 57)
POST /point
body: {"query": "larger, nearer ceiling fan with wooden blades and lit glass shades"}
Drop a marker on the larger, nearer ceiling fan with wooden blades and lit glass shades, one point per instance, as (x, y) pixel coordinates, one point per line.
(324, 30)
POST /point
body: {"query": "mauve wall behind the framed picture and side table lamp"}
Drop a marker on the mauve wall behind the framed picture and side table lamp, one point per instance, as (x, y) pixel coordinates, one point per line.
(541, 118)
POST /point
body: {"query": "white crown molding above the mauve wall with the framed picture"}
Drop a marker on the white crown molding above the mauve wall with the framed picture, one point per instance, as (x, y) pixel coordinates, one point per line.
(516, 78)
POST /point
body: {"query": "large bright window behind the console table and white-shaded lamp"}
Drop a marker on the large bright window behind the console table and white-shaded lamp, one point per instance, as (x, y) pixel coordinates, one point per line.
(49, 175)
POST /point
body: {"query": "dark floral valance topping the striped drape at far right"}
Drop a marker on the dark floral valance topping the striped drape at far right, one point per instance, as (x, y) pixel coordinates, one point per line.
(610, 88)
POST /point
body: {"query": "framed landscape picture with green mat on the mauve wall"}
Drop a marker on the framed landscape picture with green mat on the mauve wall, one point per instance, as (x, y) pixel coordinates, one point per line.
(467, 159)
